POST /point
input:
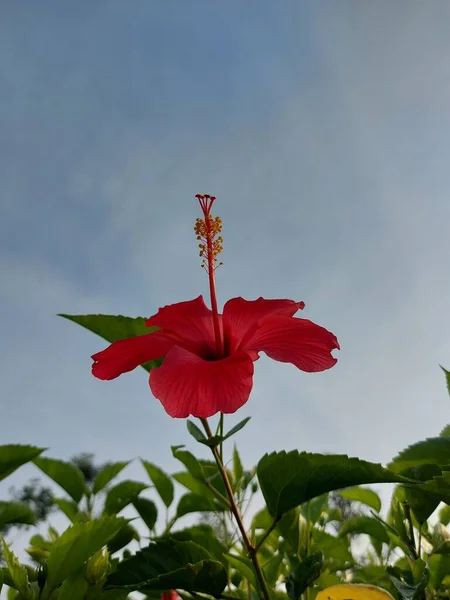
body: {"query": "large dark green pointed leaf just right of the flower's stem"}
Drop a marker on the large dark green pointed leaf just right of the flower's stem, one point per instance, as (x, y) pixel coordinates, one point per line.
(290, 479)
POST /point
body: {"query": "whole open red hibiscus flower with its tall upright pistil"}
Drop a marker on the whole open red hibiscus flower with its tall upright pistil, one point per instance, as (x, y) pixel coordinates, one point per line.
(208, 357)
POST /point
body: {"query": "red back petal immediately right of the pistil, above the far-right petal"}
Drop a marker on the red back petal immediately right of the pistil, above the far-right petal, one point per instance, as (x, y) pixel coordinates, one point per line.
(240, 316)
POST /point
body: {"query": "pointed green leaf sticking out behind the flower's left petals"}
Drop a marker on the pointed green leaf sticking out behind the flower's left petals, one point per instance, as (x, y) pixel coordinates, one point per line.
(115, 327)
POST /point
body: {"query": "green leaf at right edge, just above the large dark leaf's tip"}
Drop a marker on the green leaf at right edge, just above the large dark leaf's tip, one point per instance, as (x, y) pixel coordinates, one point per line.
(429, 451)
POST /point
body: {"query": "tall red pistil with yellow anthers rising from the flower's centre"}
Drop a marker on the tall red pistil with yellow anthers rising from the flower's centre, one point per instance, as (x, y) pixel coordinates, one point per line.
(208, 232)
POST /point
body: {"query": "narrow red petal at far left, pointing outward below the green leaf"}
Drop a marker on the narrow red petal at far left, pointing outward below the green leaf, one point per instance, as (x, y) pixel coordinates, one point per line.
(126, 355)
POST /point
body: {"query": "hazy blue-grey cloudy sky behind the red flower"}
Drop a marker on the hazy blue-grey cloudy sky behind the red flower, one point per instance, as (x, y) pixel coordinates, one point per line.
(323, 128)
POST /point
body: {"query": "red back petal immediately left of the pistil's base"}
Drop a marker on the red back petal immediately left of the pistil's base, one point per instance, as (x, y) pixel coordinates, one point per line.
(190, 324)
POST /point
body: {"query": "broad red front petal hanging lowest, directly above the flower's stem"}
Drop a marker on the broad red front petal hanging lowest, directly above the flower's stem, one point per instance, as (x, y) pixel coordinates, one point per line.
(188, 385)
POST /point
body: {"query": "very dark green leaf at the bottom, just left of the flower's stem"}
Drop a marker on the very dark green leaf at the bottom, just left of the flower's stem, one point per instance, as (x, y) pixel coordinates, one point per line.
(169, 564)
